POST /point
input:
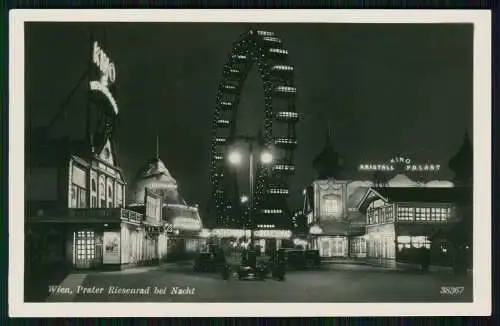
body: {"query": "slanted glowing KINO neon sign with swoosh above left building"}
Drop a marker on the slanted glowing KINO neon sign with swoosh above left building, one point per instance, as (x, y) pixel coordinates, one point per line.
(108, 74)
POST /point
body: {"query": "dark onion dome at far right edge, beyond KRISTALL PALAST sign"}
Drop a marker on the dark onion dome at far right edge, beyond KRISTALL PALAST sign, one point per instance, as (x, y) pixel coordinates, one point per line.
(461, 163)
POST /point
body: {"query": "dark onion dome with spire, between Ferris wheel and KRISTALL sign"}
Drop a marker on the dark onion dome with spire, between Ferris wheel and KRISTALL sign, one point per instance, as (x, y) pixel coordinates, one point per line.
(328, 163)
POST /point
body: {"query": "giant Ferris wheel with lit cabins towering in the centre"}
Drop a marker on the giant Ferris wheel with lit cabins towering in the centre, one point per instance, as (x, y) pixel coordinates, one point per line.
(264, 50)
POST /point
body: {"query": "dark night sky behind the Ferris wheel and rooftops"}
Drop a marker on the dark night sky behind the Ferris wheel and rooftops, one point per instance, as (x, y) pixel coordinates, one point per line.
(387, 89)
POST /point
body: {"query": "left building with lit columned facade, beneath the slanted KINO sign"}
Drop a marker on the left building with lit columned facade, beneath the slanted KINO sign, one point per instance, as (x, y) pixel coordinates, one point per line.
(76, 209)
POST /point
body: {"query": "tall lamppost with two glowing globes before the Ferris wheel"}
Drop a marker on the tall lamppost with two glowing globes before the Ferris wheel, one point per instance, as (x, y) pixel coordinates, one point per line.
(235, 159)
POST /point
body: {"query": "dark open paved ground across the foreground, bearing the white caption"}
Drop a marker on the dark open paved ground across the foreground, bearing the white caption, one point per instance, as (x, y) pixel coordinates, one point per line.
(332, 283)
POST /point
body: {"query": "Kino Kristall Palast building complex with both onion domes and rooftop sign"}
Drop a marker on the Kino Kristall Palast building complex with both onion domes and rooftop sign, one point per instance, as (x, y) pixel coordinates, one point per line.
(390, 220)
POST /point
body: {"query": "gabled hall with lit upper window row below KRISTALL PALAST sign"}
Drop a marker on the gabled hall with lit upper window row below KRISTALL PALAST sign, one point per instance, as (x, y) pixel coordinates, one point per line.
(401, 221)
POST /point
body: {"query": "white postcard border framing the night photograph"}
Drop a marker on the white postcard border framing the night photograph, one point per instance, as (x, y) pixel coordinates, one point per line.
(482, 165)
